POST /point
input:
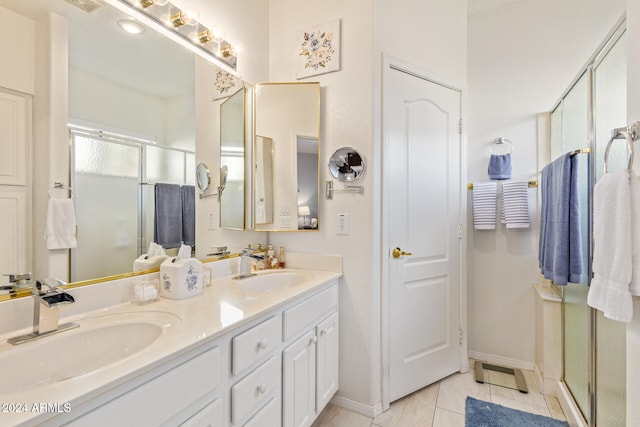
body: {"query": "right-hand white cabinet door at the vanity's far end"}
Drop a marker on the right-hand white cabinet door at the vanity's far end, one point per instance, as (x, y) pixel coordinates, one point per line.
(327, 363)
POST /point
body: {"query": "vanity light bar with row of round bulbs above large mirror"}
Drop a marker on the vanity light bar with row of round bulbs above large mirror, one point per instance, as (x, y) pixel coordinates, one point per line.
(177, 25)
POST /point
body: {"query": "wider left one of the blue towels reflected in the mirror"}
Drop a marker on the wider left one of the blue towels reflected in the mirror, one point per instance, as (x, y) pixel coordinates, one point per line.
(167, 227)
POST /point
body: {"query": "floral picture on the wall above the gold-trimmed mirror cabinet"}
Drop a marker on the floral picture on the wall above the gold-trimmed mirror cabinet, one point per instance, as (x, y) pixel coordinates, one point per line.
(318, 50)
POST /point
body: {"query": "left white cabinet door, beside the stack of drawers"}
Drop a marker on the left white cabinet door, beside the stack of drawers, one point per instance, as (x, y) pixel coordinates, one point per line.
(299, 381)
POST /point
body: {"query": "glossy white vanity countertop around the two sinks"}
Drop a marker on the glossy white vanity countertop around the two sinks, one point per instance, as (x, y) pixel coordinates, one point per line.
(221, 308)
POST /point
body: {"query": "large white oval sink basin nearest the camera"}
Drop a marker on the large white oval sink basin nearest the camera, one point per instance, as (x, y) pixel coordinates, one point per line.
(99, 342)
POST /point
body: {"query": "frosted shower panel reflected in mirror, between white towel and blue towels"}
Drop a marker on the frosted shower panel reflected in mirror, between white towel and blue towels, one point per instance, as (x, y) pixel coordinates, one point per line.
(105, 182)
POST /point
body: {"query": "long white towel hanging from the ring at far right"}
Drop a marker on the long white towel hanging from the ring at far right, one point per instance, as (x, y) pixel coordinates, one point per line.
(612, 256)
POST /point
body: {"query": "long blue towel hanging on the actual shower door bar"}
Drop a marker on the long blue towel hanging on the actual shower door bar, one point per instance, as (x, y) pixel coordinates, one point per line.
(560, 246)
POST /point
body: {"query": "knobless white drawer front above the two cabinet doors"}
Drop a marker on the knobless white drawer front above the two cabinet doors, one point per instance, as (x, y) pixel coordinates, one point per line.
(304, 314)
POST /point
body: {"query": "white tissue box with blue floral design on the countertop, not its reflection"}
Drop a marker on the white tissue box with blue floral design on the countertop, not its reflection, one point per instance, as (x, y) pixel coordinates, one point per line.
(180, 278)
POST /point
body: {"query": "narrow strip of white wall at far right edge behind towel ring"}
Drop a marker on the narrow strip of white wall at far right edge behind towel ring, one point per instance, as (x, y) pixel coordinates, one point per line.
(633, 114)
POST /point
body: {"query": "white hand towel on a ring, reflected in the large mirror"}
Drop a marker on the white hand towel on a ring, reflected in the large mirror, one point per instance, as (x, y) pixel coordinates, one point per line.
(61, 224)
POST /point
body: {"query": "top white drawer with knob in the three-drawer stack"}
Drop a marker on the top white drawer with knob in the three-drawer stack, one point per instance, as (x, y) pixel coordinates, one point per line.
(250, 346)
